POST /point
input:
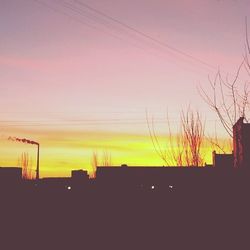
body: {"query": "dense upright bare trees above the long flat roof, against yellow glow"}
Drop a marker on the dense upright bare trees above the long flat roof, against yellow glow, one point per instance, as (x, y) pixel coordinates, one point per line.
(184, 147)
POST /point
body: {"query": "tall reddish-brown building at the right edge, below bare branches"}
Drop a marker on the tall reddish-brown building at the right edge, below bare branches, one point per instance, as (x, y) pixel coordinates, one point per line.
(241, 144)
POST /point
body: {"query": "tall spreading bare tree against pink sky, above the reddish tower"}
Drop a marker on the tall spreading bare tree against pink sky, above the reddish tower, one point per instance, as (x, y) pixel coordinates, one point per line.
(228, 96)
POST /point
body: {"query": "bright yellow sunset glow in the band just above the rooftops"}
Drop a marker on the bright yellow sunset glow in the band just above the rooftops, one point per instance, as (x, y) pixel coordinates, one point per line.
(62, 151)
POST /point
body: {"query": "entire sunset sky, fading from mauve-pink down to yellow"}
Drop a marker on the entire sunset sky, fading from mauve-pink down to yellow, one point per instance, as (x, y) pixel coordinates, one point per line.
(78, 76)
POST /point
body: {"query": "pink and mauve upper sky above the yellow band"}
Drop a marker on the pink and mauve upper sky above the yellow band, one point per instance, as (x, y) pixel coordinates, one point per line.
(56, 69)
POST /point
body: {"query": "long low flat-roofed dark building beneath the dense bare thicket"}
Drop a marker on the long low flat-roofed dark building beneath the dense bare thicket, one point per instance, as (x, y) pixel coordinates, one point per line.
(154, 178)
